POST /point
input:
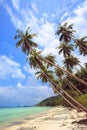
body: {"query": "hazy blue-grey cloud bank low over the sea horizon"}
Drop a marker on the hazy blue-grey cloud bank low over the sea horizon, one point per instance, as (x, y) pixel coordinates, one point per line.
(24, 95)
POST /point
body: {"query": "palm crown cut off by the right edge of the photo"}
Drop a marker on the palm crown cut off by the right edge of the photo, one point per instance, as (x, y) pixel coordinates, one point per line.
(82, 45)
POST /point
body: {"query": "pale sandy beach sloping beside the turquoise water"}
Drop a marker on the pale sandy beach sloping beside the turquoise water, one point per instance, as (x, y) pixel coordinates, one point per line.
(58, 118)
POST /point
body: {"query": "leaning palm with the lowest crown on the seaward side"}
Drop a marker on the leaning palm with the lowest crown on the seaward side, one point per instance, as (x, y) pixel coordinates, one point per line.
(46, 76)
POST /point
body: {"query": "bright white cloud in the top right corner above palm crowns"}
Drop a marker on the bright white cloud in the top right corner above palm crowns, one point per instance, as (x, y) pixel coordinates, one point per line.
(80, 19)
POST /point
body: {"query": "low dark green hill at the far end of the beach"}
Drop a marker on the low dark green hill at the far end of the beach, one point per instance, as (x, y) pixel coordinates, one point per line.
(52, 101)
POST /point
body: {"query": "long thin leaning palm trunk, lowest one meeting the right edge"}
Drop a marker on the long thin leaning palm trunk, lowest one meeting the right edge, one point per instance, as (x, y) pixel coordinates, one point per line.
(56, 87)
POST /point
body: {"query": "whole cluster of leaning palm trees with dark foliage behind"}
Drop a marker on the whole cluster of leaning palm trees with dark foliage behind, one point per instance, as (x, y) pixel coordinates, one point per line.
(69, 81)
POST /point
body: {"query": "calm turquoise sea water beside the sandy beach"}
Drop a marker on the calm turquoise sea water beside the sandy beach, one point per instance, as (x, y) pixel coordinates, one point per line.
(12, 115)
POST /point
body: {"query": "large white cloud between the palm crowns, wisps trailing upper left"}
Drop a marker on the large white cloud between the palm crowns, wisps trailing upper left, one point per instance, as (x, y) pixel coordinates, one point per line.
(46, 30)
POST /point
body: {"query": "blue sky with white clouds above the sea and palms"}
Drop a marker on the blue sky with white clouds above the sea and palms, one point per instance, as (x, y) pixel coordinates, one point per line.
(18, 85)
